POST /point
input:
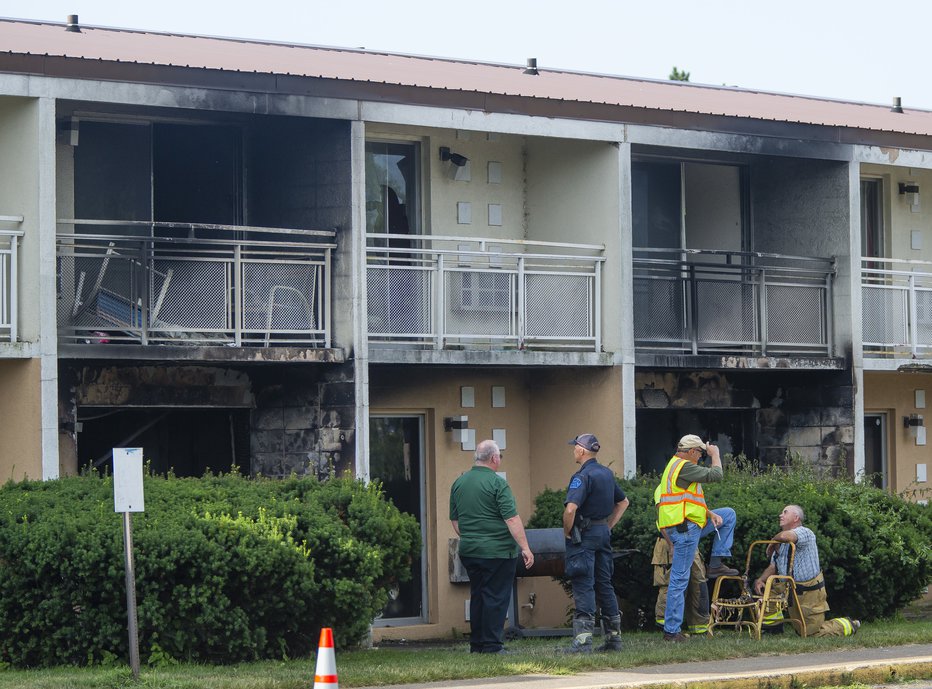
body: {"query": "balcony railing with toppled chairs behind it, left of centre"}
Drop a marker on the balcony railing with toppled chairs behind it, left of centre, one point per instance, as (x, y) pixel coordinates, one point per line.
(193, 284)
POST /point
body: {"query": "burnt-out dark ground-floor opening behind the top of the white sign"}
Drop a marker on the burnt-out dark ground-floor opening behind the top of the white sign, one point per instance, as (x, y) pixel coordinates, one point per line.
(187, 442)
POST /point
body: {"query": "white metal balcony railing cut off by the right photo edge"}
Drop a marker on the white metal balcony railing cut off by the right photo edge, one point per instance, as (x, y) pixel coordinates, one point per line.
(896, 298)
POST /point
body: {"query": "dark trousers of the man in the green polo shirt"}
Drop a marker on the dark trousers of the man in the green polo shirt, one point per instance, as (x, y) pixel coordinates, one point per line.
(490, 582)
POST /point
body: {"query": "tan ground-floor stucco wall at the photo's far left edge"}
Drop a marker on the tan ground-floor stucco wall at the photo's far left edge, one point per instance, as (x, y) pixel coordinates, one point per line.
(21, 449)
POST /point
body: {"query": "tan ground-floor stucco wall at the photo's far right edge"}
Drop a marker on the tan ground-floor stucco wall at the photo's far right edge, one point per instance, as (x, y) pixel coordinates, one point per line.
(894, 394)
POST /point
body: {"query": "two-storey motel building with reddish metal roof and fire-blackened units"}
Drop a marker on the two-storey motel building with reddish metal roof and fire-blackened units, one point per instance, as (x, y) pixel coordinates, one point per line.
(287, 259)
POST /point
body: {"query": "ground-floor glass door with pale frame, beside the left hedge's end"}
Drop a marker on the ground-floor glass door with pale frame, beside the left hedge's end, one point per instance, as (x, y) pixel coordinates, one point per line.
(396, 460)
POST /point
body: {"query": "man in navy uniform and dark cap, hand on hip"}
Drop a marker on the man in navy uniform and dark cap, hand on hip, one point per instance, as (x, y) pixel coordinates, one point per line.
(594, 504)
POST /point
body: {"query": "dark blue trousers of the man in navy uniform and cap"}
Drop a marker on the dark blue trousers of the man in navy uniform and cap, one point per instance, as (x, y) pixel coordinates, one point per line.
(590, 567)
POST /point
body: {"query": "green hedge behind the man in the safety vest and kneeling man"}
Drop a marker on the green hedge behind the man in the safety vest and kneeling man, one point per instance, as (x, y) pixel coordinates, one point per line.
(875, 548)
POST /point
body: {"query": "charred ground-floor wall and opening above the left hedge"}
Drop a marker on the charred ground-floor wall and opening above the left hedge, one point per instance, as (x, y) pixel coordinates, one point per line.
(268, 420)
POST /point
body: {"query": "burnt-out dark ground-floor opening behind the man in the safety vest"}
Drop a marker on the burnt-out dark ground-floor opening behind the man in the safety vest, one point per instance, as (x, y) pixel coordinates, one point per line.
(658, 431)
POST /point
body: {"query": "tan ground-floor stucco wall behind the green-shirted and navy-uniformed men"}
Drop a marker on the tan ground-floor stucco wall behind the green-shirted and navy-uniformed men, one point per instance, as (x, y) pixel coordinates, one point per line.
(543, 410)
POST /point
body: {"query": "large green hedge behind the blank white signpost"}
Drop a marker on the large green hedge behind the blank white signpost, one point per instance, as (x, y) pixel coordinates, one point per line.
(227, 568)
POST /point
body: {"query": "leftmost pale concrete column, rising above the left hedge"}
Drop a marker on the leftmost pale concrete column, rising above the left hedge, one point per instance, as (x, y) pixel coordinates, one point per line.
(48, 325)
